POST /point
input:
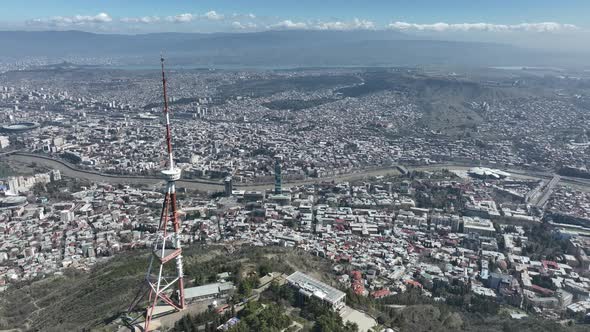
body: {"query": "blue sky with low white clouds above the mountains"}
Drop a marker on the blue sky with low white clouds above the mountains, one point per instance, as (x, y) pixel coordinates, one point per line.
(488, 20)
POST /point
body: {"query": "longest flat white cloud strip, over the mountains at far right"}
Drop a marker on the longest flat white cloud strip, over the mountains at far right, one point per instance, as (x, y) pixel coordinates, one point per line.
(443, 27)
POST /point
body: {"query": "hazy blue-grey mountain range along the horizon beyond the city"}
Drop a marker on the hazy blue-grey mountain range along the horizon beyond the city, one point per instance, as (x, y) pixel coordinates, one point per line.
(278, 48)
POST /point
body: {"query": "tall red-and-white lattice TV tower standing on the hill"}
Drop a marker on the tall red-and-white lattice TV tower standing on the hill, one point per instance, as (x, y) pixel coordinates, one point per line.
(162, 287)
